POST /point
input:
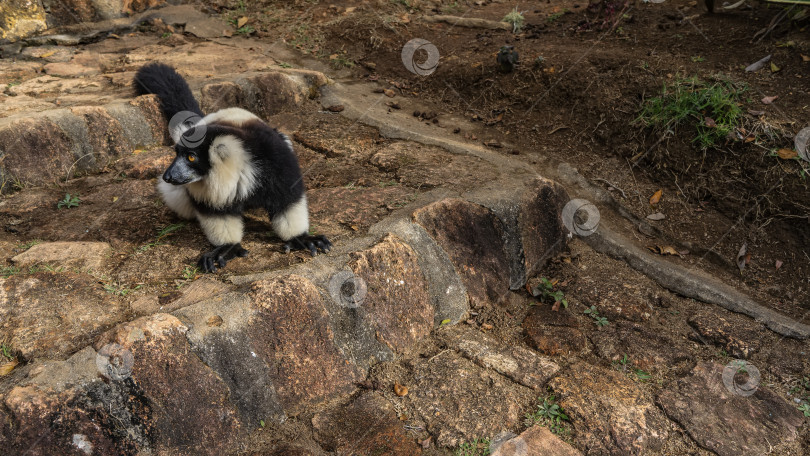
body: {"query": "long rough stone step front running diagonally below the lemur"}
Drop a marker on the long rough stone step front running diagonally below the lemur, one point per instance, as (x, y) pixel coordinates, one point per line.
(287, 342)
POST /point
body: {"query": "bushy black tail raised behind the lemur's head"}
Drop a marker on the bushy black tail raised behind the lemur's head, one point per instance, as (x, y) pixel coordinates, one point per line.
(172, 90)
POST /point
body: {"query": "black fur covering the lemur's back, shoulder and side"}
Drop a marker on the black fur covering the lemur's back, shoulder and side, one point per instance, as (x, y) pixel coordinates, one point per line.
(279, 182)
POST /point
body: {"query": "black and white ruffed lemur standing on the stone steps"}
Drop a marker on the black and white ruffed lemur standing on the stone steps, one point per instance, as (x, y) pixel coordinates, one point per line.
(227, 162)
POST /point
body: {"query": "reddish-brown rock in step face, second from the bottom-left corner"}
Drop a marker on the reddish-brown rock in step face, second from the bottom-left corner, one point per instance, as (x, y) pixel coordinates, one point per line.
(189, 404)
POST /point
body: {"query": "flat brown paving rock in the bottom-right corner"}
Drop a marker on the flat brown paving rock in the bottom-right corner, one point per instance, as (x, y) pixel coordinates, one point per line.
(727, 423)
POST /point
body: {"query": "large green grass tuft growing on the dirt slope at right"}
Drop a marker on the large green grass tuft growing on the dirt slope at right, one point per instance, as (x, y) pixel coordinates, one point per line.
(712, 108)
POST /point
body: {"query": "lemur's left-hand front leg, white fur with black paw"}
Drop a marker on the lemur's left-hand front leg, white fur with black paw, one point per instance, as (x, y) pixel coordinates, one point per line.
(225, 232)
